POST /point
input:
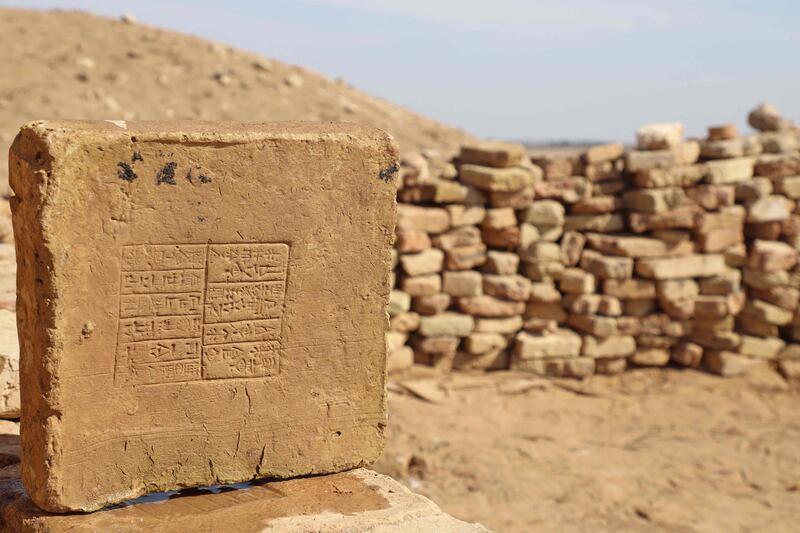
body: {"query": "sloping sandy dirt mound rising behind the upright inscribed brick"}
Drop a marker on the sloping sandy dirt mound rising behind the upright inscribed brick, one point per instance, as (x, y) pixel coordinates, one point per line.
(59, 64)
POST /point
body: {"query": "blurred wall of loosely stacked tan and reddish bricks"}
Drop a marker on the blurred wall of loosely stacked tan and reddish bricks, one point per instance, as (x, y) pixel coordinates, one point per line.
(567, 264)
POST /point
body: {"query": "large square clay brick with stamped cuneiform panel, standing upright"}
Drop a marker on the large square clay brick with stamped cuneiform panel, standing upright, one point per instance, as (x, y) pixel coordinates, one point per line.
(199, 303)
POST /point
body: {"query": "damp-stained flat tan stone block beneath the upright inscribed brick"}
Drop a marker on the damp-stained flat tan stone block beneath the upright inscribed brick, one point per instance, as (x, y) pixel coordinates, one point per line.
(358, 500)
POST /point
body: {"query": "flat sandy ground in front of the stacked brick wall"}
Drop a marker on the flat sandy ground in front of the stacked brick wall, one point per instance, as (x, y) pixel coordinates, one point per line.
(650, 450)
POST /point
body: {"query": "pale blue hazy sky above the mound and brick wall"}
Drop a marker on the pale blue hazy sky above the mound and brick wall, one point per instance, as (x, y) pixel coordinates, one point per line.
(573, 69)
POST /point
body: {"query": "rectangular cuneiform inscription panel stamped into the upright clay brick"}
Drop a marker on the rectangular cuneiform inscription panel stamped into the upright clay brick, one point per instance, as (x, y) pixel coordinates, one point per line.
(200, 311)
